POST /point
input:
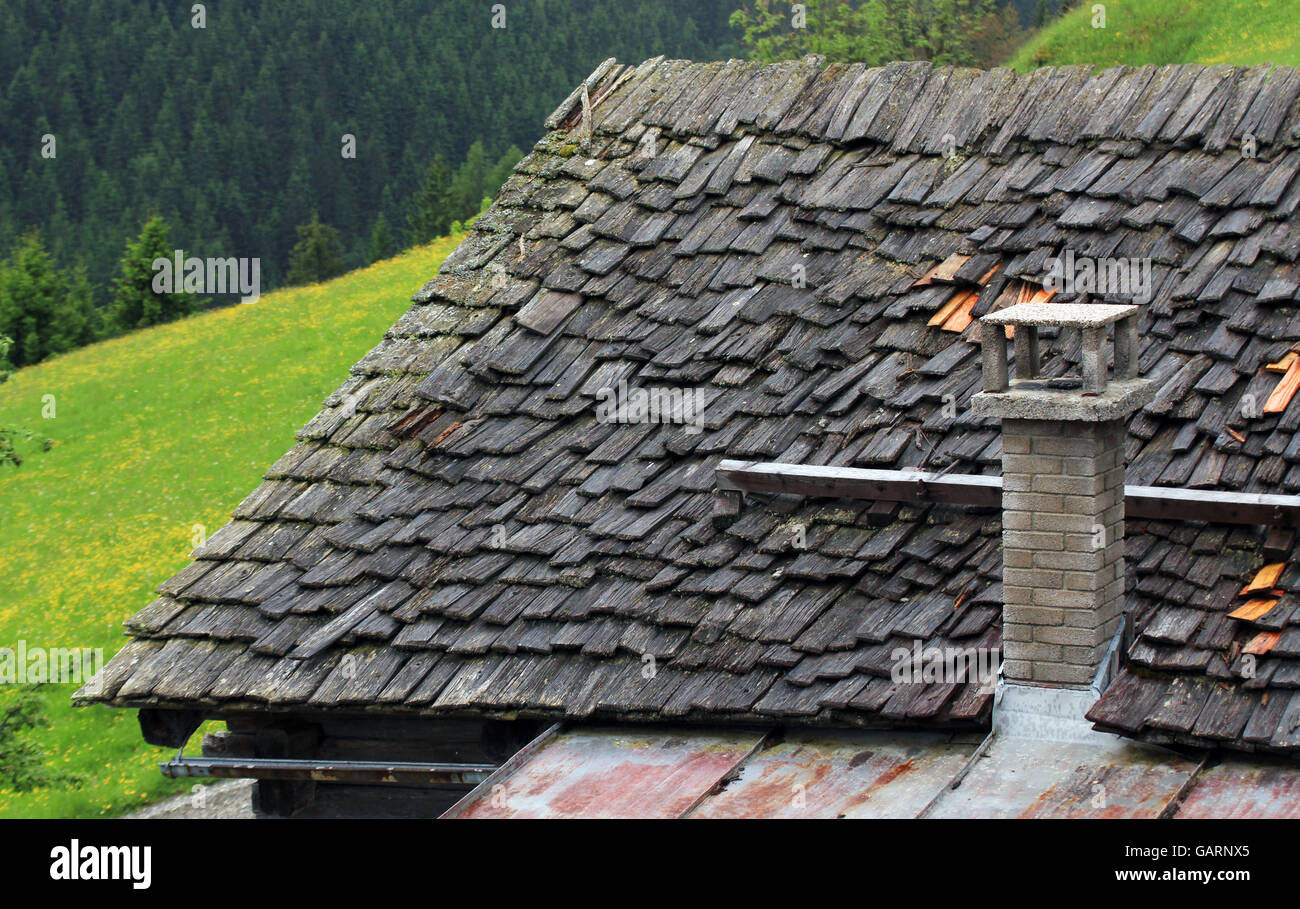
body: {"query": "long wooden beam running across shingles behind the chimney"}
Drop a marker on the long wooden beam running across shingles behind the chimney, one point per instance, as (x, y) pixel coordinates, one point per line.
(1154, 503)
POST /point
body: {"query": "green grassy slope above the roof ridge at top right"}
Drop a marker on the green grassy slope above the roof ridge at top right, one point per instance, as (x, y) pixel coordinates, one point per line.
(1169, 32)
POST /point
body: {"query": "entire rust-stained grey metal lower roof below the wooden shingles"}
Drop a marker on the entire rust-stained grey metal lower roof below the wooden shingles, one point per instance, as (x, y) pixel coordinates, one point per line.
(673, 773)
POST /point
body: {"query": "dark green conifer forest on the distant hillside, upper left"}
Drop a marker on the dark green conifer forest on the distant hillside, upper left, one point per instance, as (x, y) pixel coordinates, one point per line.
(284, 90)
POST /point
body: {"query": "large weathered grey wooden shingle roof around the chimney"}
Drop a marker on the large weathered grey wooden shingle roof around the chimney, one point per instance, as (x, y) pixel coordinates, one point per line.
(809, 244)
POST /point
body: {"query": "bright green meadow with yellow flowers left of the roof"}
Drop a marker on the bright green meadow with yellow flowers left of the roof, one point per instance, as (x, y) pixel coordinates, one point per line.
(157, 434)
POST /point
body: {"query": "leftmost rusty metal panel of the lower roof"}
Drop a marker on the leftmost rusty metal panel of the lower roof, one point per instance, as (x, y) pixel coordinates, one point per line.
(612, 773)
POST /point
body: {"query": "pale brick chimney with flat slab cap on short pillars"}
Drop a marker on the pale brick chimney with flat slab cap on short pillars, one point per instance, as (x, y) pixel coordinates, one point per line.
(1063, 491)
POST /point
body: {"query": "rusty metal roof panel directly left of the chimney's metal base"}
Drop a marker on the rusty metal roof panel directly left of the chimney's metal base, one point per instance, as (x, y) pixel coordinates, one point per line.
(840, 776)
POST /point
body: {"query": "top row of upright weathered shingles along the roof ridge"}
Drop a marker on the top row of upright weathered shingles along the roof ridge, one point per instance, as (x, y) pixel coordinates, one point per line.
(915, 106)
